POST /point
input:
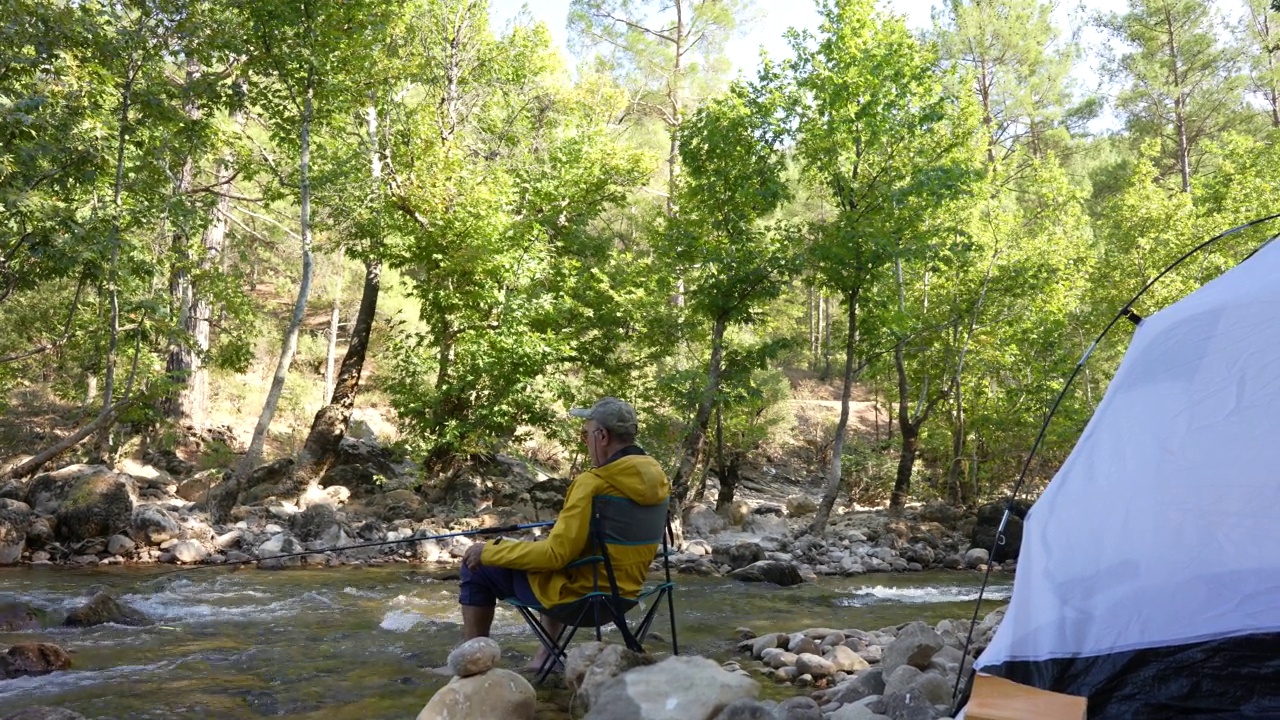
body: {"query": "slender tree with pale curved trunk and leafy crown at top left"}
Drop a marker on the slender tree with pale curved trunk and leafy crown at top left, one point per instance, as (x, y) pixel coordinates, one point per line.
(308, 54)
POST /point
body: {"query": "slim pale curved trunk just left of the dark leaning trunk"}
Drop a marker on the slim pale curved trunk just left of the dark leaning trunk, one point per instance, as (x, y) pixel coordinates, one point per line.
(291, 335)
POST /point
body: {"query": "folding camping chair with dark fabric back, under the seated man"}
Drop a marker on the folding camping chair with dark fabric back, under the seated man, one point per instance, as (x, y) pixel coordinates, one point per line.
(615, 522)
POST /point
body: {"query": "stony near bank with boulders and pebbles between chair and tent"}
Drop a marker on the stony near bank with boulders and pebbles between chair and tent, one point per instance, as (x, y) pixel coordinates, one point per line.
(898, 673)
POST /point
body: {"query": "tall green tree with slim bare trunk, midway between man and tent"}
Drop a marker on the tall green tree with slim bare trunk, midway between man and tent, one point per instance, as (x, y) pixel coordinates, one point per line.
(879, 129)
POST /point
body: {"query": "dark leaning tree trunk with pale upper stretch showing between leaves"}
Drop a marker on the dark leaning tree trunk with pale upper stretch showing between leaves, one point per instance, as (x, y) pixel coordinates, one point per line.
(331, 423)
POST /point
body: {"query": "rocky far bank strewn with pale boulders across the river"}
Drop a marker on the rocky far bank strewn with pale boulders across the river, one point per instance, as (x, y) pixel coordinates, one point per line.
(164, 512)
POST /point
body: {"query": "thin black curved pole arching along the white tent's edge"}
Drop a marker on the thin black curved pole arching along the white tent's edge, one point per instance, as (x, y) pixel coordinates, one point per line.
(1126, 313)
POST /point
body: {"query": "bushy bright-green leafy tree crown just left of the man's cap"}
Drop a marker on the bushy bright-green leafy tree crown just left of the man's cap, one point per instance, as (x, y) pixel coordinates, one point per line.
(499, 172)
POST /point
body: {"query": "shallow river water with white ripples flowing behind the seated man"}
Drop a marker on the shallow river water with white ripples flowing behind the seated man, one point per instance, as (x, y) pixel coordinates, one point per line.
(356, 644)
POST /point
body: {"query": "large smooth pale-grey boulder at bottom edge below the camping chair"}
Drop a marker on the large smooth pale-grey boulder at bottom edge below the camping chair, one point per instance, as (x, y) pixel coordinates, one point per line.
(678, 689)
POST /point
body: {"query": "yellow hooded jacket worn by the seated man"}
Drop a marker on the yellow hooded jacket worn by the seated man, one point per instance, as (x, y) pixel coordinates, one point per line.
(634, 476)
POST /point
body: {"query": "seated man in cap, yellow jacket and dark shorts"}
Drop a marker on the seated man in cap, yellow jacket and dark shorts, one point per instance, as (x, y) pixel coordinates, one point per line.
(534, 572)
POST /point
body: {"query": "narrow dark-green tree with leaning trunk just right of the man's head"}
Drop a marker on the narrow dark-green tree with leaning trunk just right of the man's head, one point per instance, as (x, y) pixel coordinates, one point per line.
(732, 152)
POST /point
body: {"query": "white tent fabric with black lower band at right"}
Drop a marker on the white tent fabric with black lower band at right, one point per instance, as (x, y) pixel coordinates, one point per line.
(1162, 532)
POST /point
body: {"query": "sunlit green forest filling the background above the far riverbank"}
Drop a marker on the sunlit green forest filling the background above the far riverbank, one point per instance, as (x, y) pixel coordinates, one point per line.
(263, 215)
